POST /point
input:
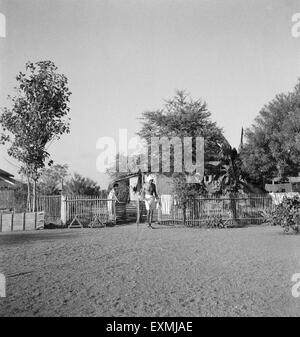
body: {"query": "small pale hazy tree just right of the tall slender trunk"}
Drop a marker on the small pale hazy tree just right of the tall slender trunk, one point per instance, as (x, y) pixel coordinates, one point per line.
(52, 179)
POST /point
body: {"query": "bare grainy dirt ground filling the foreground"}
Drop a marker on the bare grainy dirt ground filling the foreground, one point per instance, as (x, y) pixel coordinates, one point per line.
(135, 271)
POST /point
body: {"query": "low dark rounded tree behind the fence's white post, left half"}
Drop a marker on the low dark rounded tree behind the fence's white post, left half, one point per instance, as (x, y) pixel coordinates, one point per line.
(80, 185)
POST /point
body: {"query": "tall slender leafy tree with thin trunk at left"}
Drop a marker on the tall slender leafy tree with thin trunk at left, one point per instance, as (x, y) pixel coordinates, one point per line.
(37, 116)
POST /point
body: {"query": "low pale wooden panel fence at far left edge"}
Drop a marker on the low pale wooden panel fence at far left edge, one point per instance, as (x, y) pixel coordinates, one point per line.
(11, 221)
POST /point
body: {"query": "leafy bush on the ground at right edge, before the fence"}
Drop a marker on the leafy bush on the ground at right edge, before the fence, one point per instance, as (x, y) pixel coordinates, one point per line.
(286, 215)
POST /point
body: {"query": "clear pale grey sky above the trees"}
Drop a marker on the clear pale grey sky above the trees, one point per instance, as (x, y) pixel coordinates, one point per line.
(123, 57)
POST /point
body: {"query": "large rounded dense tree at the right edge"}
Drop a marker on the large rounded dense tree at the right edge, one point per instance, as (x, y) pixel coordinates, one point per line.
(272, 147)
